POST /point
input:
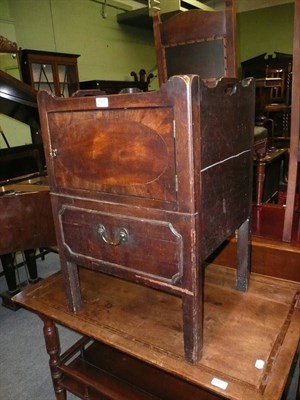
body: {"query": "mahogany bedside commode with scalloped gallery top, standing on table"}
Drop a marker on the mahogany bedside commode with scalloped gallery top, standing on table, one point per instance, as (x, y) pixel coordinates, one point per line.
(146, 186)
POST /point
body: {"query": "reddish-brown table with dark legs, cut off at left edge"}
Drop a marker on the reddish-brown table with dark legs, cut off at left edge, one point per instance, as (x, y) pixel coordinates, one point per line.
(26, 224)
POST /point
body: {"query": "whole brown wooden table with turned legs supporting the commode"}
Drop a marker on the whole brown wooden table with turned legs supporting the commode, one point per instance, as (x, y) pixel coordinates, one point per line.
(136, 346)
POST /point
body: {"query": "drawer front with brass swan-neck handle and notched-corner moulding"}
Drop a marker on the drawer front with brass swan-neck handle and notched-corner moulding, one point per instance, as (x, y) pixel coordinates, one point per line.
(122, 245)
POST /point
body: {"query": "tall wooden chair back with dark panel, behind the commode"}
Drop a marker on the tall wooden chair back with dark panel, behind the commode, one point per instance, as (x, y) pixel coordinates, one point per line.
(196, 42)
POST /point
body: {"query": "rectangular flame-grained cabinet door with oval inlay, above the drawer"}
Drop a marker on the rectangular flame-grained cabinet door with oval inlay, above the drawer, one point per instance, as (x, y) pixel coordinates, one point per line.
(127, 152)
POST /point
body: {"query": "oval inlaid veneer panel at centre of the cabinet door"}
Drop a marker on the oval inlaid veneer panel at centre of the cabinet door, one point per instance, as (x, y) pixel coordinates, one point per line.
(112, 152)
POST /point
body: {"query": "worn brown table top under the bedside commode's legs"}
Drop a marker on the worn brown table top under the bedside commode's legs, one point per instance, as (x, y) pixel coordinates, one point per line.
(242, 331)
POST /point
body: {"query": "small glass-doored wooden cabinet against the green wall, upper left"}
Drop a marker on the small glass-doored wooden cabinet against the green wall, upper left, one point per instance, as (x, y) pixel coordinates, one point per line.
(54, 72)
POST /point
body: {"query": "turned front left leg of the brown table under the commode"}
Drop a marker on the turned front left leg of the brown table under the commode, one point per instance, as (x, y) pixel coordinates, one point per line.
(53, 349)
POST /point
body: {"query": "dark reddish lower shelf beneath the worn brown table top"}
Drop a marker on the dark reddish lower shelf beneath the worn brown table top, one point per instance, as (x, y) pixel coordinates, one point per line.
(115, 374)
